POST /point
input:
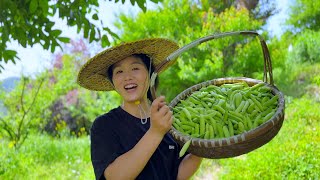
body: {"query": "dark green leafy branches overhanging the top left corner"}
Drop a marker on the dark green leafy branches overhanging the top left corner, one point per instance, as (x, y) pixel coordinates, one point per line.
(31, 22)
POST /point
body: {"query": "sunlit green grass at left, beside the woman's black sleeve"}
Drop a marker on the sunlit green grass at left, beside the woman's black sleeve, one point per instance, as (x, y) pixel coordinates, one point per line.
(42, 157)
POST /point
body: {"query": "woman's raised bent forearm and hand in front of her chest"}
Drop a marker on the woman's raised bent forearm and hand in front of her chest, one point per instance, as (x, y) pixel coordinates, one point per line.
(130, 164)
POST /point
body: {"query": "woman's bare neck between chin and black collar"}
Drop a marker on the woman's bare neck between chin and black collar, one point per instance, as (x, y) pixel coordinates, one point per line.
(141, 110)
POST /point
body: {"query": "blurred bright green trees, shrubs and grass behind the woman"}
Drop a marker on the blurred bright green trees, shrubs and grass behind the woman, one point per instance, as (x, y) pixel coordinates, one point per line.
(45, 120)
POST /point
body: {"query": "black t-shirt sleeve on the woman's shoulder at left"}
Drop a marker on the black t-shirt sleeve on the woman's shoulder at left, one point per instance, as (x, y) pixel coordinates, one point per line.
(105, 147)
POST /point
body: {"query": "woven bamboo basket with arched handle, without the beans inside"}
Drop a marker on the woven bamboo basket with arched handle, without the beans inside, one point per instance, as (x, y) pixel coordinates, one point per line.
(241, 143)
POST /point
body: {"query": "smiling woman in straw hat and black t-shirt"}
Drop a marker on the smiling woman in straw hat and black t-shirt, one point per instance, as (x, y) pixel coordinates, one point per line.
(132, 141)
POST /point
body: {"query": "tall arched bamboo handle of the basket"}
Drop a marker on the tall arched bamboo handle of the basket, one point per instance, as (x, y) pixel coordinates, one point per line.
(267, 75)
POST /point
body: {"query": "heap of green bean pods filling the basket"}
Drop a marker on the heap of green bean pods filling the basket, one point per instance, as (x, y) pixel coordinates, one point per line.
(223, 111)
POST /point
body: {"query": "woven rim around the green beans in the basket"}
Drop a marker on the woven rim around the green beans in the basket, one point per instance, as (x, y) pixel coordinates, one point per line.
(245, 136)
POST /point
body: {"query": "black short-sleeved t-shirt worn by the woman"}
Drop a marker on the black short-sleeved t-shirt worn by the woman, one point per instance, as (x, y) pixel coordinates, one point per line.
(116, 132)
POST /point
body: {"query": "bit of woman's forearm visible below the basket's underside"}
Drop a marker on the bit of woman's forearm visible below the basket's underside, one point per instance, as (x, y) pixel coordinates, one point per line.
(188, 166)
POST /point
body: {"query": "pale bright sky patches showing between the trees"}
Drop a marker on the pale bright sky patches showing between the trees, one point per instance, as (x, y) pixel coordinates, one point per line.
(34, 59)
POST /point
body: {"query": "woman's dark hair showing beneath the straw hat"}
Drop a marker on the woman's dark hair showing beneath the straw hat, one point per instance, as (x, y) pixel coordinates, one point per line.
(146, 61)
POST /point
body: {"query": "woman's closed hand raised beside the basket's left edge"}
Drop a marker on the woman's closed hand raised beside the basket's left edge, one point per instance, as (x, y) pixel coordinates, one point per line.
(161, 116)
